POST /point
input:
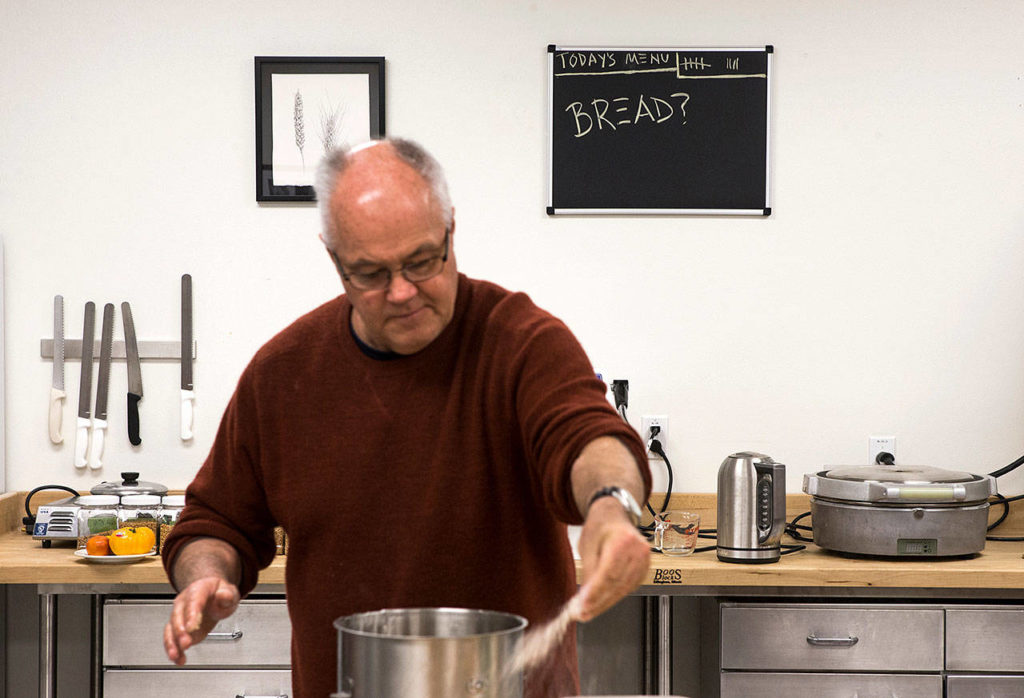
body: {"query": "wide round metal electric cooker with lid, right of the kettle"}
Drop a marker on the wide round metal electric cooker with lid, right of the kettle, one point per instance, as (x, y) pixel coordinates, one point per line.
(900, 511)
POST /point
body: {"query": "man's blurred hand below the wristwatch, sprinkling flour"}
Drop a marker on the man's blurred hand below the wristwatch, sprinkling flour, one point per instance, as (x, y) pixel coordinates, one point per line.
(616, 558)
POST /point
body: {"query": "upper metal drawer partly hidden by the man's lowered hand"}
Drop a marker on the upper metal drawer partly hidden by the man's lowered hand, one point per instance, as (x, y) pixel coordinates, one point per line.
(260, 634)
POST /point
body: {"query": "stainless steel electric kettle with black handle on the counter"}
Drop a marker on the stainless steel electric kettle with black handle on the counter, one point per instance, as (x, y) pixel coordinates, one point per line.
(751, 508)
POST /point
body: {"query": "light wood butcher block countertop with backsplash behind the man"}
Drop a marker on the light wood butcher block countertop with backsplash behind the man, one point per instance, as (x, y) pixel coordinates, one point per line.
(1000, 566)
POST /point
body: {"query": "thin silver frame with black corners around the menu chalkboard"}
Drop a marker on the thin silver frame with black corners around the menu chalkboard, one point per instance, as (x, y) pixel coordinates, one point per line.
(554, 211)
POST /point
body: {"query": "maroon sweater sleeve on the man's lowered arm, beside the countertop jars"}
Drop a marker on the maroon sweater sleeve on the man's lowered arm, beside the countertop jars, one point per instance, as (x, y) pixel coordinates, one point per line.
(226, 500)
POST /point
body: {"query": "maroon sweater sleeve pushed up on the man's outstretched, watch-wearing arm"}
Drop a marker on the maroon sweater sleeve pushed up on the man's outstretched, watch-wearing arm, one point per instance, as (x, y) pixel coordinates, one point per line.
(562, 408)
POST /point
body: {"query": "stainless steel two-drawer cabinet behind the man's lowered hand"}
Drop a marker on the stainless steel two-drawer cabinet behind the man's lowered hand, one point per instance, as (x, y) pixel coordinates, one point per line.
(248, 655)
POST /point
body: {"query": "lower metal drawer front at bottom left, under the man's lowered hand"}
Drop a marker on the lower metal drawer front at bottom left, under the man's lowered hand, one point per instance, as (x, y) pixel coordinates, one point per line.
(197, 683)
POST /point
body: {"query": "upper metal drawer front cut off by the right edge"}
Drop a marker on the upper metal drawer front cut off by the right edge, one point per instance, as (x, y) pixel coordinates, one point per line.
(985, 640)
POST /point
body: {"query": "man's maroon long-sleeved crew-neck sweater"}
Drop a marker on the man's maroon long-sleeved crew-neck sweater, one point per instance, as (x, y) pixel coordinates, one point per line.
(437, 479)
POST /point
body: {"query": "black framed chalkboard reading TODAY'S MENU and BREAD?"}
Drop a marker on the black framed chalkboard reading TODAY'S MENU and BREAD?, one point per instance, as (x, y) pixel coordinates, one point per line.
(660, 132)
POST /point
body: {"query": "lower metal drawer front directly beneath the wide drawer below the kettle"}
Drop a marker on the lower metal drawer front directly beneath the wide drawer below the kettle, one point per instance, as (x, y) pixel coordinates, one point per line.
(763, 685)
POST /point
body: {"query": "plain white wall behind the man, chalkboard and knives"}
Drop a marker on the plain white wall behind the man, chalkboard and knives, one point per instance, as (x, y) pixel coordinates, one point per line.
(884, 295)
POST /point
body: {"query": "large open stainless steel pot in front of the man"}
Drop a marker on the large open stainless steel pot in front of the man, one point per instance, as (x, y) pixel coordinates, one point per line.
(429, 653)
